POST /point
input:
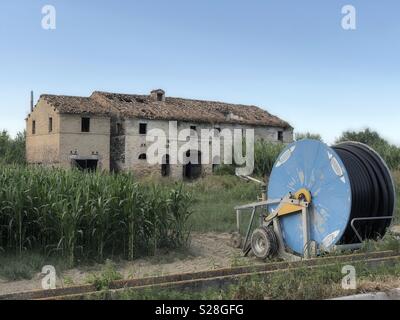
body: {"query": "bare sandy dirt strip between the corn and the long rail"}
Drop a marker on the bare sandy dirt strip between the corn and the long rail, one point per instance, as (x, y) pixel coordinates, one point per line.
(206, 252)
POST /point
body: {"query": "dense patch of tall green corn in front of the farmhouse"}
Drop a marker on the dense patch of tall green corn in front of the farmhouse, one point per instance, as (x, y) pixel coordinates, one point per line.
(89, 215)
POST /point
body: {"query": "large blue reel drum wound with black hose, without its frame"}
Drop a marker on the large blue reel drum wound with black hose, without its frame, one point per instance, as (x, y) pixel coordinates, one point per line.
(333, 175)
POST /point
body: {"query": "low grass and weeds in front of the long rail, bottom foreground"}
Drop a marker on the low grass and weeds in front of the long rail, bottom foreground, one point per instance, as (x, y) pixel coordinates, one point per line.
(293, 284)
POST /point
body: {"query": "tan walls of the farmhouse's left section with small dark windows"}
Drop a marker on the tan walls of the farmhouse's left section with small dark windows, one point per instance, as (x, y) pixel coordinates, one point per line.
(56, 148)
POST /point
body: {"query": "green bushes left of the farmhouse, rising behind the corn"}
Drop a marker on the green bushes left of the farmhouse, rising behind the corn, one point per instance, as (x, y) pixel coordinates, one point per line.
(12, 151)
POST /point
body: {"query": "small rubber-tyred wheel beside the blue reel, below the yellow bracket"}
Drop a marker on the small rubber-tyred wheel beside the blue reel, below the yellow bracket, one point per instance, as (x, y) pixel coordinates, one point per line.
(264, 243)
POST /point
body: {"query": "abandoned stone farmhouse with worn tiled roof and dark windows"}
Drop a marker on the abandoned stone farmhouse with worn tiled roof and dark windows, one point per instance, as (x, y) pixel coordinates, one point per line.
(107, 131)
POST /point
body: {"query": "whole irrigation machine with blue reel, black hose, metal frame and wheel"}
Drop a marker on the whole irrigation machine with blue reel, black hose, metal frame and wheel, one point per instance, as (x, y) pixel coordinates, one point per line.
(319, 199)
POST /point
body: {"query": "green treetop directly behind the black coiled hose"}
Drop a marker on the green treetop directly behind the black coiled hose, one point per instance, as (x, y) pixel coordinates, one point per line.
(390, 153)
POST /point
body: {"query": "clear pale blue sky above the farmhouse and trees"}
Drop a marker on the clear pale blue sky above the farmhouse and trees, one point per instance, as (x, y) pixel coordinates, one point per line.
(291, 57)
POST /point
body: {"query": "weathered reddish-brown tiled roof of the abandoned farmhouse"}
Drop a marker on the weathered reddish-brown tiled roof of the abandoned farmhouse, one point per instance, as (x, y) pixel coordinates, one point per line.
(147, 107)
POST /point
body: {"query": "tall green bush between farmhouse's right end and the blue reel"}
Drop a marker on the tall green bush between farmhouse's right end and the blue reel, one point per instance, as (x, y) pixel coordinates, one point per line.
(265, 155)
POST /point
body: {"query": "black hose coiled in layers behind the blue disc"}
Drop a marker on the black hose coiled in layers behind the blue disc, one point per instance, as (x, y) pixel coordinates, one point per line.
(372, 187)
